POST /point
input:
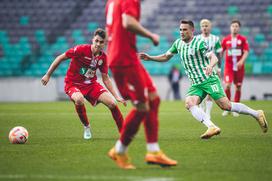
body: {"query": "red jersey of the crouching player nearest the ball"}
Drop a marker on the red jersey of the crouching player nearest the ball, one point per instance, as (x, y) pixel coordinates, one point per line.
(82, 69)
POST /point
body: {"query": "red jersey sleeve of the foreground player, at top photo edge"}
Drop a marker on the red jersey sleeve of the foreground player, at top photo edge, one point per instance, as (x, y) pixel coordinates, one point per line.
(130, 7)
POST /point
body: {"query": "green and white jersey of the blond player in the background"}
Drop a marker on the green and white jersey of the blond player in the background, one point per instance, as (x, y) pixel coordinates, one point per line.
(213, 42)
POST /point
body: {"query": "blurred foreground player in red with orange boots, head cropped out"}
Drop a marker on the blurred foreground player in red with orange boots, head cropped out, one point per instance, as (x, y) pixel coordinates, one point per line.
(133, 81)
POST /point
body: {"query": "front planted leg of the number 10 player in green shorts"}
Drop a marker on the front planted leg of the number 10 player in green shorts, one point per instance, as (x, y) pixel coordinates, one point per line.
(191, 103)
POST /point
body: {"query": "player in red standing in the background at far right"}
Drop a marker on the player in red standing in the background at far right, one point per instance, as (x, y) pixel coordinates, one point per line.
(236, 47)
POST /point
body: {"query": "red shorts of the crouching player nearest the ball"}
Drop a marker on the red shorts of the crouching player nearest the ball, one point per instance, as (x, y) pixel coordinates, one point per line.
(91, 92)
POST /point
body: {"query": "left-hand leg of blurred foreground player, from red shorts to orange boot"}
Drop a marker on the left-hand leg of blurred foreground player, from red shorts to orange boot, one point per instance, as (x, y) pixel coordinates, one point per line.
(131, 86)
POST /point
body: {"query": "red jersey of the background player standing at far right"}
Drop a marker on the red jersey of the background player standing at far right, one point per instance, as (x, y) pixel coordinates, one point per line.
(235, 48)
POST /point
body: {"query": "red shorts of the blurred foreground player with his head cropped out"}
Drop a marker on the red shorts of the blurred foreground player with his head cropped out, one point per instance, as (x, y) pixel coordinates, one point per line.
(134, 83)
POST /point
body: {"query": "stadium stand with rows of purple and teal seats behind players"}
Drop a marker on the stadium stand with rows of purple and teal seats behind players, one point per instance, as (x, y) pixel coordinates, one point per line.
(33, 33)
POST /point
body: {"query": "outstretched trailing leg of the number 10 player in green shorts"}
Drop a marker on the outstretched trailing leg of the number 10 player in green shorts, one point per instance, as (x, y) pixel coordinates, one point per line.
(225, 104)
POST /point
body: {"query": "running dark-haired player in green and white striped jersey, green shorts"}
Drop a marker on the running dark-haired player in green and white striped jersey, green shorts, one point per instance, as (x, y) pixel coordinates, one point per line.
(198, 63)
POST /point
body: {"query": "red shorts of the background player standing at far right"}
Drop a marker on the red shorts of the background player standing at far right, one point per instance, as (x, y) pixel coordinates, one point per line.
(236, 77)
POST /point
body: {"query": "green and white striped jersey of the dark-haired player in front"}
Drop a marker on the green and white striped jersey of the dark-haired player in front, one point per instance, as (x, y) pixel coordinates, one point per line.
(193, 57)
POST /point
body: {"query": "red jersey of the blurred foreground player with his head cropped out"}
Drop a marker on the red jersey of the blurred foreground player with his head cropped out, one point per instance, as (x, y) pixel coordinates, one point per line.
(122, 49)
